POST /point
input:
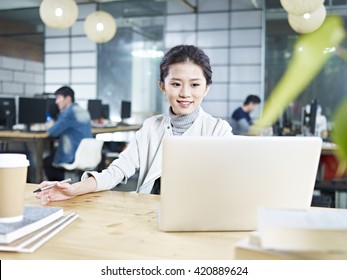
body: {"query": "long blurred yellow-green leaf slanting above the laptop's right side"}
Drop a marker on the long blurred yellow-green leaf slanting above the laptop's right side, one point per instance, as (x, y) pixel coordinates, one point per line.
(311, 51)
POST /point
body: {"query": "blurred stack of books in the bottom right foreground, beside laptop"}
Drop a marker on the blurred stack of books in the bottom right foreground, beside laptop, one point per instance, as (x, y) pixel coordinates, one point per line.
(316, 233)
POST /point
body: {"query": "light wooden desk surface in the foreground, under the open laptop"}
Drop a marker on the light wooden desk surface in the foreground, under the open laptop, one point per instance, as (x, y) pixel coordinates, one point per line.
(122, 225)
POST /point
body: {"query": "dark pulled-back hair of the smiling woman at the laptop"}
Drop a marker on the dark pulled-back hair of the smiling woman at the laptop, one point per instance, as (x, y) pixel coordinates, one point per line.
(185, 53)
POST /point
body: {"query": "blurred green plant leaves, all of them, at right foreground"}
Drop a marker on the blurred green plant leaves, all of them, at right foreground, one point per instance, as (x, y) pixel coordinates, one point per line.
(311, 52)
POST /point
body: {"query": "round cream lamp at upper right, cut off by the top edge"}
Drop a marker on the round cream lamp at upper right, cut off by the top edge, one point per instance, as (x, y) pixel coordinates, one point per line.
(300, 7)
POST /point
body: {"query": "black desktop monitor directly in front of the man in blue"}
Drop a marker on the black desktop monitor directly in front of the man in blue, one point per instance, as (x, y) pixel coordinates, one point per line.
(32, 110)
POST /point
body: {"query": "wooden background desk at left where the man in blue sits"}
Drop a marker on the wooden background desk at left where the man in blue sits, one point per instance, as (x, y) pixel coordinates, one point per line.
(39, 139)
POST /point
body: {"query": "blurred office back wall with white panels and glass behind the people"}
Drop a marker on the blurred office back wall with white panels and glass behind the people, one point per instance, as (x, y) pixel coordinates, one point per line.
(249, 43)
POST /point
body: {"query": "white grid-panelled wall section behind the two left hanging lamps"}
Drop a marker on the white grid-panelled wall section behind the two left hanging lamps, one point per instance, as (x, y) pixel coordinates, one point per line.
(71, 59)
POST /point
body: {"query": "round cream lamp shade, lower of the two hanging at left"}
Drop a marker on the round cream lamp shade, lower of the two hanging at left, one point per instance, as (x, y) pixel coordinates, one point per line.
(100, 27)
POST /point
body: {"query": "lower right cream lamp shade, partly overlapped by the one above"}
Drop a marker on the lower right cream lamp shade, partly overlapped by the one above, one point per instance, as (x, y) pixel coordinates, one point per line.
(308, 22)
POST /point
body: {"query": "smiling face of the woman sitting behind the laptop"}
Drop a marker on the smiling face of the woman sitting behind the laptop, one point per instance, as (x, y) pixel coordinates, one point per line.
(185, 87)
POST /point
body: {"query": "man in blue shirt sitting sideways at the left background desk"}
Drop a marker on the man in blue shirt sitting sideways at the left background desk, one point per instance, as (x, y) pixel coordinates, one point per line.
(72, 125)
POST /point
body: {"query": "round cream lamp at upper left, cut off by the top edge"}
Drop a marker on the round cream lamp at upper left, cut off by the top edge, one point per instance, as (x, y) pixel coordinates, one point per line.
(58, 14)
